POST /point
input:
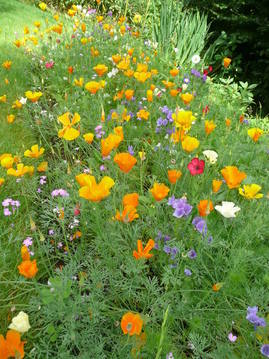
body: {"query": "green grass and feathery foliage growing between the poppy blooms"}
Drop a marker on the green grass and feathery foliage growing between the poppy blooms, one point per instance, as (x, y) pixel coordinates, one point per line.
(87, 281)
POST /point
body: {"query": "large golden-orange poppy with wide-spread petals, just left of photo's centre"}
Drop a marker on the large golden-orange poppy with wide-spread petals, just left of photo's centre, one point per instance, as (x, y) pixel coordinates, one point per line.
(93, 191)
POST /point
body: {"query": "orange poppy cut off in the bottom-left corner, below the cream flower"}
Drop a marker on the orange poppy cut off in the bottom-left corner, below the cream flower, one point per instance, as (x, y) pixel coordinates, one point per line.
(12, 346)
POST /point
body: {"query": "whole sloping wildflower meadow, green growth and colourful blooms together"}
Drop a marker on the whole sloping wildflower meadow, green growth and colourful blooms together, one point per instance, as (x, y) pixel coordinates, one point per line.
(142, 226)
